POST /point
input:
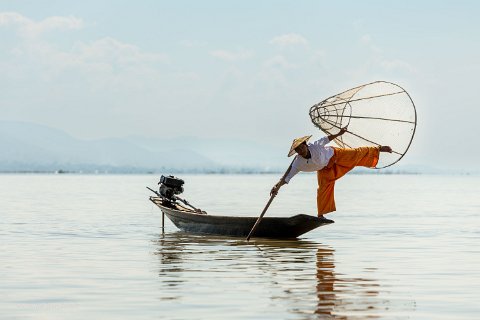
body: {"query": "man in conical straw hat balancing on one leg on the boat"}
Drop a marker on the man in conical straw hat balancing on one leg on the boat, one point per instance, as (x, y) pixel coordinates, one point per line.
(331, 163)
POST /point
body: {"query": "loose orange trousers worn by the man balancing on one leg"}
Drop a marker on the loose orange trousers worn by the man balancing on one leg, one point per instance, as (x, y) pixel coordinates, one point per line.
(342, 161)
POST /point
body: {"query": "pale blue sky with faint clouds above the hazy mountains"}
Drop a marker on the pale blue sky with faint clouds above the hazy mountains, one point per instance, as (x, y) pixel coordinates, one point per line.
(245, 70)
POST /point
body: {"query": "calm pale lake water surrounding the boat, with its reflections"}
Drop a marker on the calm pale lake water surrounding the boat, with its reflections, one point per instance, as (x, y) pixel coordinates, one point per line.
(91, 247)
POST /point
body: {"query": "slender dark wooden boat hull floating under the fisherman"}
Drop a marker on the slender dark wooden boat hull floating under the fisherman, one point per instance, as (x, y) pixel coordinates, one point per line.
(192, 221)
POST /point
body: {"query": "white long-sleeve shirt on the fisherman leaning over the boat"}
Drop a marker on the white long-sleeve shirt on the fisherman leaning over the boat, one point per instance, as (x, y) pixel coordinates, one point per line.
(320, 156)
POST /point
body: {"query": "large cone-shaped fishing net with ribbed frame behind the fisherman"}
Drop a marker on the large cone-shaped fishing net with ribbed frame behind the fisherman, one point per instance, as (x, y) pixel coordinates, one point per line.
(377, 114)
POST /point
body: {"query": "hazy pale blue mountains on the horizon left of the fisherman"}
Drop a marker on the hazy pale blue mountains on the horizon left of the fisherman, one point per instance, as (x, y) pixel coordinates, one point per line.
(32, 147)
